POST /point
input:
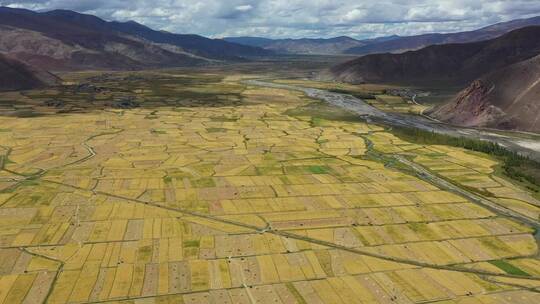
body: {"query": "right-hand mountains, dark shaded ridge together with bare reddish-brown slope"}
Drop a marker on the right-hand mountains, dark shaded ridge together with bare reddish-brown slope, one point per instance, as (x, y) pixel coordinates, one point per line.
(501, 78)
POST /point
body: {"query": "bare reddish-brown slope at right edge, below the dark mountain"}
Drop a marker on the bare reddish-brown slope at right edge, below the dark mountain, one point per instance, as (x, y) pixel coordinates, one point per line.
(508, 98)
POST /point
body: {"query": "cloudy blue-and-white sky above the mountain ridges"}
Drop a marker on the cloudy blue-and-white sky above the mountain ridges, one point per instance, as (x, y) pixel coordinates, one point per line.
(299, 18)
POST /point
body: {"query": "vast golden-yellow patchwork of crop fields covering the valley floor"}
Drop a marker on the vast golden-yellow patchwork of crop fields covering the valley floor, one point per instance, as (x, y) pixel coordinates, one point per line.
(194, 187)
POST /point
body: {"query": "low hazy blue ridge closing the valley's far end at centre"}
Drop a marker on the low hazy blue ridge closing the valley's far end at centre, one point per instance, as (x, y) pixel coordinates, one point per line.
(331, 46)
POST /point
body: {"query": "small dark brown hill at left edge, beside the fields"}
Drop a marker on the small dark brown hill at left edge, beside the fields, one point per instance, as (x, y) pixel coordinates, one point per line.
(15, 75)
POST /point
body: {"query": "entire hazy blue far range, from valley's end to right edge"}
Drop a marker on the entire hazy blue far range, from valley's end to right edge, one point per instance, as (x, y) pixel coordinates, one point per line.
(390, 44)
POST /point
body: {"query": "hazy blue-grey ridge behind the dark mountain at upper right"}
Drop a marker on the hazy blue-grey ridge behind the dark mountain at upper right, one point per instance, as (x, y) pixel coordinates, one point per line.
(403, 44)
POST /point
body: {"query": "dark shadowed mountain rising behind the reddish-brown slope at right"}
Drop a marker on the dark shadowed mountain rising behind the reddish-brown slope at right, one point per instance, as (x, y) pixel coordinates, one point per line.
(444, 64)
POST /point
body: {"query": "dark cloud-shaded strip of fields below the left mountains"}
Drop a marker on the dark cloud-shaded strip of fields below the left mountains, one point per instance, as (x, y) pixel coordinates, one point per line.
(123, 91)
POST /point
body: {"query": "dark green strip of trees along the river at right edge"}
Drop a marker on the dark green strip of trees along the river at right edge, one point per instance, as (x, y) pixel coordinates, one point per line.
(514, 165)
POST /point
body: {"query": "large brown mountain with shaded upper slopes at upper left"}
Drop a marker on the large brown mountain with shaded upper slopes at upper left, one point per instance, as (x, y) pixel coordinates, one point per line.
(53, 43)
